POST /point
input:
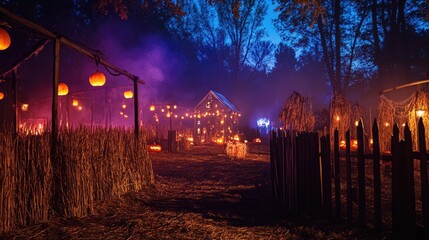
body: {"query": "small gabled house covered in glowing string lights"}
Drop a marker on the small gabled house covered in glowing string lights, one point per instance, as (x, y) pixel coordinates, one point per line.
(215, 119)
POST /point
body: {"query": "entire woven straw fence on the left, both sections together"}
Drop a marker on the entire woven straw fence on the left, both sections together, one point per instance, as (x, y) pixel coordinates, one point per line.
(89, 166)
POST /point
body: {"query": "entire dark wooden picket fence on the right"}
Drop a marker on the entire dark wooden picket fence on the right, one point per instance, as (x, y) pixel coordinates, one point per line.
(306, 169)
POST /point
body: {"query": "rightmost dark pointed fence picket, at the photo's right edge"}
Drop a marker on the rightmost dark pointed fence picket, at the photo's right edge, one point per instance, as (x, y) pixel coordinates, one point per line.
(424, 177)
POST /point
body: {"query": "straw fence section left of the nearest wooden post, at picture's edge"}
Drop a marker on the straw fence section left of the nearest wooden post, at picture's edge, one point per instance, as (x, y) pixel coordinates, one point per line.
(25, 179)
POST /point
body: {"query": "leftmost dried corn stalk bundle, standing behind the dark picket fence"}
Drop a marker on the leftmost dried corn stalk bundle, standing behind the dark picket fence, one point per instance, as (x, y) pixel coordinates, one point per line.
(298, 113)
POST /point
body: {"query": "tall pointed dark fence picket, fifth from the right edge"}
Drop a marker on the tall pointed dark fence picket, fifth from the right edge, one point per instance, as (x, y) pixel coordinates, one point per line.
(361, 176)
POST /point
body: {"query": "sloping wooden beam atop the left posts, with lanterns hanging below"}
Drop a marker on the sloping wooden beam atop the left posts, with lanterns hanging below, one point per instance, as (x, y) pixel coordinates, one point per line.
(72, 44)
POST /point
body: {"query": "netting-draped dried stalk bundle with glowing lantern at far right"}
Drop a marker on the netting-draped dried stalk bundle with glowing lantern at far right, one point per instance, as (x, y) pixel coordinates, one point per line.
(401, 113)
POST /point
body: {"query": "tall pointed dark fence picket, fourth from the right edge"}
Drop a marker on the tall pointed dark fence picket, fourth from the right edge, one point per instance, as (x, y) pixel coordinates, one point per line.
(377, 178)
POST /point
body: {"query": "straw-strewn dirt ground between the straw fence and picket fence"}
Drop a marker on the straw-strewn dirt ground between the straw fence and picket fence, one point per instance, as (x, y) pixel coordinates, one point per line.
(199, 193)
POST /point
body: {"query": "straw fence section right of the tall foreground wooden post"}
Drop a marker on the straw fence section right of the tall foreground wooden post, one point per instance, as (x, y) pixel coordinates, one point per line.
(101, 165)
